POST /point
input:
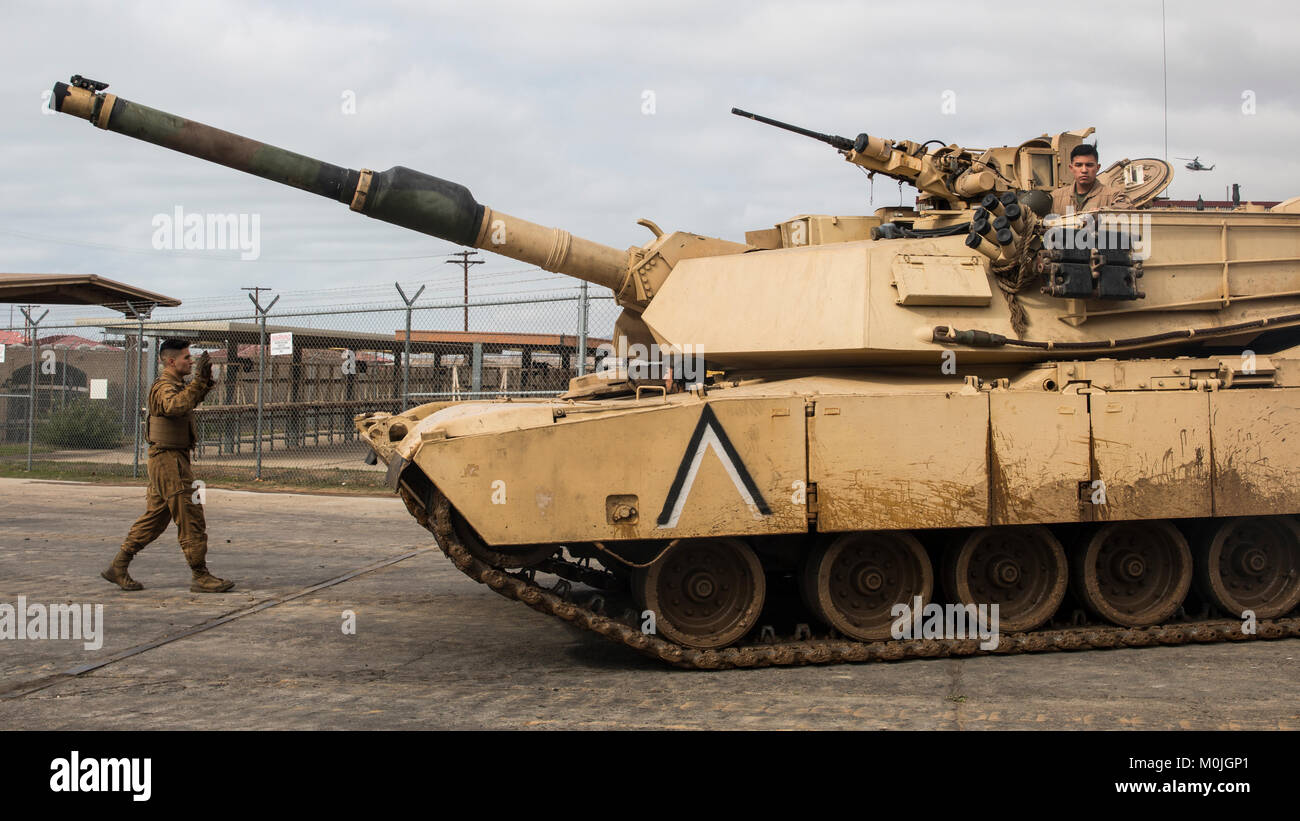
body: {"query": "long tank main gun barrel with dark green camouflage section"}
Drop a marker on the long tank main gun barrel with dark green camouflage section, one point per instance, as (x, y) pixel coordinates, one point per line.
(400, 196)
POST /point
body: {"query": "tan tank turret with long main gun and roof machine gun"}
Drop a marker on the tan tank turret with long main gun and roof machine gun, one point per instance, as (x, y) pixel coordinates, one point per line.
(973, 270)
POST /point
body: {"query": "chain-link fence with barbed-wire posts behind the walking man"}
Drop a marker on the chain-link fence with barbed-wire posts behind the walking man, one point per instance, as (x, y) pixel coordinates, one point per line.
(288, 383)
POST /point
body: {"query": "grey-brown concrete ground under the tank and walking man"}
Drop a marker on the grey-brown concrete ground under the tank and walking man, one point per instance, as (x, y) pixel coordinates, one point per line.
(434, 650)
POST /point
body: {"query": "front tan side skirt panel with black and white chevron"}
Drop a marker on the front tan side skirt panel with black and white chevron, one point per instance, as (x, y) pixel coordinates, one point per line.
(696, 470)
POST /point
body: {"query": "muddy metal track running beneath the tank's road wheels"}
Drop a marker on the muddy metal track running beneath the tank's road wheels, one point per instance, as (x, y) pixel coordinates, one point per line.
(557, 602)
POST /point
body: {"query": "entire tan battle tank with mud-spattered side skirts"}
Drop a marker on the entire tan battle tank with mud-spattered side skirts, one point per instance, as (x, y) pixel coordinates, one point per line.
(812, 440)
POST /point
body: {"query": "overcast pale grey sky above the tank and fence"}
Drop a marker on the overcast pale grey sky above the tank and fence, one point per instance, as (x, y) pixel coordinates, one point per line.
(541, 112)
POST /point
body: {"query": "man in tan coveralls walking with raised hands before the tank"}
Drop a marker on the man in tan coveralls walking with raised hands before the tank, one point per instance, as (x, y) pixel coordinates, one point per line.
(172, 435)
